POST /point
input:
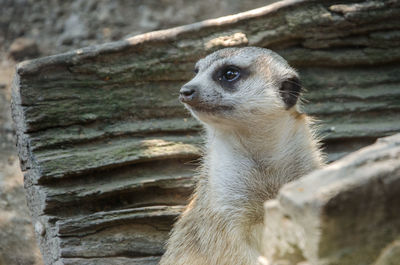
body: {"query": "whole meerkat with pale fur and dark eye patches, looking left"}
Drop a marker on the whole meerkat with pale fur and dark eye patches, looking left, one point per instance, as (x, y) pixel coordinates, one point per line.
(256, 141)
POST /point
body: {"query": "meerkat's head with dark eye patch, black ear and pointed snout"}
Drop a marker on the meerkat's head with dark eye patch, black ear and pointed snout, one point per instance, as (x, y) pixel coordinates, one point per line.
(235, 85)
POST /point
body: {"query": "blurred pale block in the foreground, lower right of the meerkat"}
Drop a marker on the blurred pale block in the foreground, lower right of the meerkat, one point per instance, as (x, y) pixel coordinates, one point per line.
(344, 214)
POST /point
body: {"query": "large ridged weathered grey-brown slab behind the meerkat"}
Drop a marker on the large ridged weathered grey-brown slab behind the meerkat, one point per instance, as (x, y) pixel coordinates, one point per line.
(100, 129)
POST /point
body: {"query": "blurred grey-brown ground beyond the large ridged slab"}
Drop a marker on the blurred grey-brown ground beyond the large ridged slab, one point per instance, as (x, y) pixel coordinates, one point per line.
(36, 28)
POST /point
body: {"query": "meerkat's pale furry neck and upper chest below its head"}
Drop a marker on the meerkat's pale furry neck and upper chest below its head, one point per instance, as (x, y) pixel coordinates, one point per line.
(248, 164)
